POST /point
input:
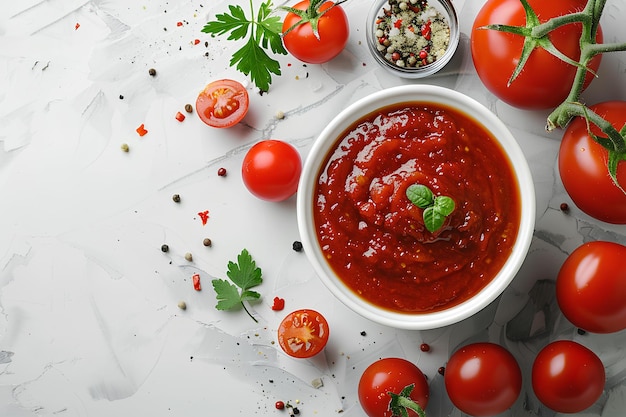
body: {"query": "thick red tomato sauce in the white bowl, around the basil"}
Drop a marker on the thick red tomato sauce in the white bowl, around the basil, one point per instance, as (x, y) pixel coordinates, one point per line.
(374, 237)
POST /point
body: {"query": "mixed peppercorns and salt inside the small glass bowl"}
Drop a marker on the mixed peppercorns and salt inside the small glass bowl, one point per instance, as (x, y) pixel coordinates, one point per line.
(411, 33)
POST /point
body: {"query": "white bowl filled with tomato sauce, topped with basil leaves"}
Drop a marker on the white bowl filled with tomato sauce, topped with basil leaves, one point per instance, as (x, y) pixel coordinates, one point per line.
(416, 207)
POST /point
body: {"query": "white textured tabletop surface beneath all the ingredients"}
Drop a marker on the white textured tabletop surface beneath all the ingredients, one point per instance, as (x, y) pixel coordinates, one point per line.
(89, 324)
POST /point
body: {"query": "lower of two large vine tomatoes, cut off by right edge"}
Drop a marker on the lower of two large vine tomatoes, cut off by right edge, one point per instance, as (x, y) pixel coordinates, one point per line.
(583, 166)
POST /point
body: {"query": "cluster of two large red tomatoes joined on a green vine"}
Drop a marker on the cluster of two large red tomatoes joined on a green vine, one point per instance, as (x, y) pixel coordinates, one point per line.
(548, 80)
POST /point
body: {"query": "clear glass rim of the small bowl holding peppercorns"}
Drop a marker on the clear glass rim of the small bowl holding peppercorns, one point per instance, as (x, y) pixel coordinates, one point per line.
(420, 72)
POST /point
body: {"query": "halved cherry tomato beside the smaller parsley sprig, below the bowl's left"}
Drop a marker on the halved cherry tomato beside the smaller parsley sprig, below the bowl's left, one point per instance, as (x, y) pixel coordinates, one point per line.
(303, 333)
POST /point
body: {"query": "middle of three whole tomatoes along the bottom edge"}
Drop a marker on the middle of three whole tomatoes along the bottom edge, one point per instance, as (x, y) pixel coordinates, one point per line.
(483, 379)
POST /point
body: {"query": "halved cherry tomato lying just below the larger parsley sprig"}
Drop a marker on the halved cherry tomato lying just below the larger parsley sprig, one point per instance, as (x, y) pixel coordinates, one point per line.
(222, 103)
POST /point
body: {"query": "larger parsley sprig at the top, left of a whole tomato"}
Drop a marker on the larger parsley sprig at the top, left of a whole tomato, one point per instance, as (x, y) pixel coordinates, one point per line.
(262, 30)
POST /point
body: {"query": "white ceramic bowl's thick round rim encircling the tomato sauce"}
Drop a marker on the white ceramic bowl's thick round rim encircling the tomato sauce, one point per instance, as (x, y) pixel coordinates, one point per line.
(324, 144)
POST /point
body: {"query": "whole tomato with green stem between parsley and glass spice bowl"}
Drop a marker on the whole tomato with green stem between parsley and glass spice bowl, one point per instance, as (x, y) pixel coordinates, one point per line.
(333, 31)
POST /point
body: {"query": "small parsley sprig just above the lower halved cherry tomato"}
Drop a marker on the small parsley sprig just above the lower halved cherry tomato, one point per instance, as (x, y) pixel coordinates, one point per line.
(244, 275)
